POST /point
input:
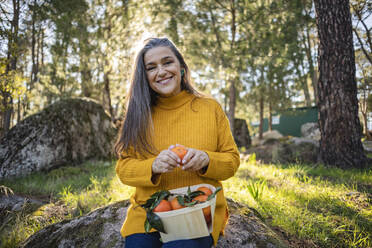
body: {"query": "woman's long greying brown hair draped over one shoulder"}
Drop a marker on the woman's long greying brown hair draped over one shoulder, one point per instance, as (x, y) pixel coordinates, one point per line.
(136, 131)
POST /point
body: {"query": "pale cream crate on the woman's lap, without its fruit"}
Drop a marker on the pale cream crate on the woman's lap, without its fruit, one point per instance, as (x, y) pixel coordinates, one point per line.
(189, 222)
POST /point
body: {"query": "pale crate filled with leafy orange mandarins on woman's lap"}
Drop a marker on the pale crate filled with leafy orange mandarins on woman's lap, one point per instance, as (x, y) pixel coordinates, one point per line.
(182, 213)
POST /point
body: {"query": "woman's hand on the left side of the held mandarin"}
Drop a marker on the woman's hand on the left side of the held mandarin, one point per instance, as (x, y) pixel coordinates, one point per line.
(165, 162)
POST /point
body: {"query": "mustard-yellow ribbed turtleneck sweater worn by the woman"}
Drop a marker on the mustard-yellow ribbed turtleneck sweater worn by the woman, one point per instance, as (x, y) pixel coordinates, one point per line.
(195, 122)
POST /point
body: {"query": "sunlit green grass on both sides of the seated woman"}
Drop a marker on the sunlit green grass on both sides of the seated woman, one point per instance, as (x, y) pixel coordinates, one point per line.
(324, 207)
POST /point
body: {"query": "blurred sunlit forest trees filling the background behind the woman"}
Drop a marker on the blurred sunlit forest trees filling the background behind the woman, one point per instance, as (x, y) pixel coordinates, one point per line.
(255, 57)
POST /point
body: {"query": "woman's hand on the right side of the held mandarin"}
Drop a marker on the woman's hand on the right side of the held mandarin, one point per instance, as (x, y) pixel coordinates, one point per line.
(195, 160)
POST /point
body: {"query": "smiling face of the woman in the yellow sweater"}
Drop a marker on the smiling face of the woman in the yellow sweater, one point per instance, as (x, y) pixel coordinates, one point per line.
(163, 71)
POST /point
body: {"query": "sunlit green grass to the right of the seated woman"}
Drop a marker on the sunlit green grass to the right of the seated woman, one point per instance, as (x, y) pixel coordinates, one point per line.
(329, 206)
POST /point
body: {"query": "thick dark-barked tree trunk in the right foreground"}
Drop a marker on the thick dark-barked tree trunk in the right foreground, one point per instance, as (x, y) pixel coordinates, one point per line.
(339, 124)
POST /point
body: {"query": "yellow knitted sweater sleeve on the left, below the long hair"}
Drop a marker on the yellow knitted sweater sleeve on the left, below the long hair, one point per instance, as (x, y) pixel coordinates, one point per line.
(135, 172)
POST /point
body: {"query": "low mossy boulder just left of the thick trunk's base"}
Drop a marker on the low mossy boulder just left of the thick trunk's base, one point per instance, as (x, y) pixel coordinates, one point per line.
(296, 150)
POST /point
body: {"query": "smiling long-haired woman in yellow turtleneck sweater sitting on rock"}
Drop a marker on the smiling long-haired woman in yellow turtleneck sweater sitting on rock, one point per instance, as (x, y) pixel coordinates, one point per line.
(164, 110)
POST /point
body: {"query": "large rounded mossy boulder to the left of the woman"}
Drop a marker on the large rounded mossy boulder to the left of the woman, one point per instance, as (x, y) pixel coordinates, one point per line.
(66, 132)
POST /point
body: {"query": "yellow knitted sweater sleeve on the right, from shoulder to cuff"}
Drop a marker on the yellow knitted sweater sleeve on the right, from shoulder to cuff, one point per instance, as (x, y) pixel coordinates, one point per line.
(225, 161)
